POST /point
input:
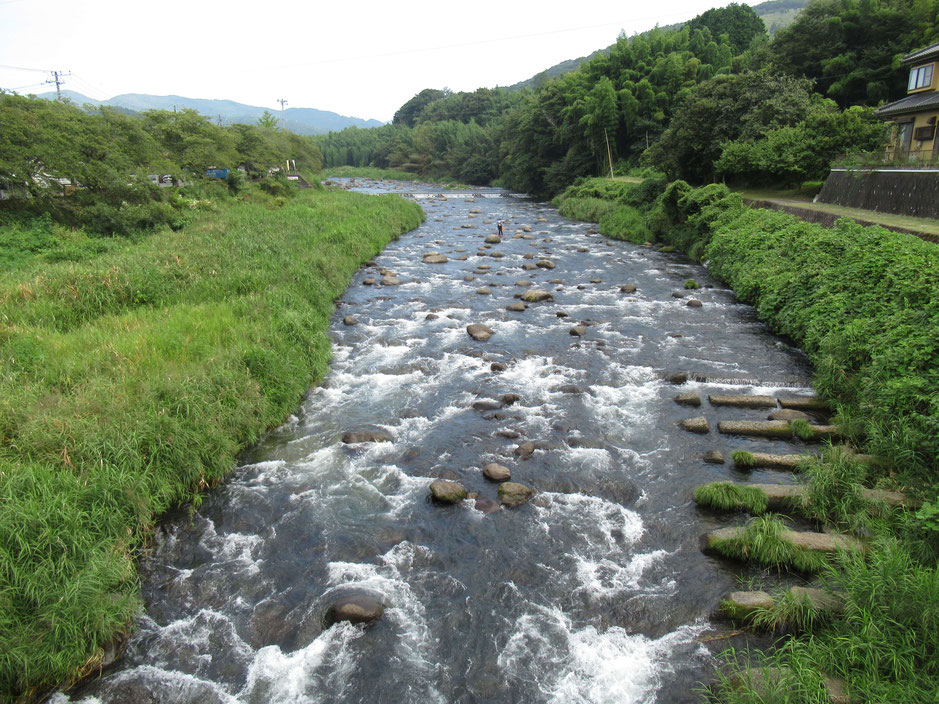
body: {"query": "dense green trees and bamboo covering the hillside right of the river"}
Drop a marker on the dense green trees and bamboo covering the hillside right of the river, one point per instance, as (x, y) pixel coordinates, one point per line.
(716, 98)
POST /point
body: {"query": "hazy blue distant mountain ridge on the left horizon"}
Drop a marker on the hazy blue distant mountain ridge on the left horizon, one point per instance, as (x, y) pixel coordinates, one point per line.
(298, 120)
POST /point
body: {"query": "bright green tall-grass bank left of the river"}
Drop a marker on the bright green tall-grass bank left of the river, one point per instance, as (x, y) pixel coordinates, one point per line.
(131, 374)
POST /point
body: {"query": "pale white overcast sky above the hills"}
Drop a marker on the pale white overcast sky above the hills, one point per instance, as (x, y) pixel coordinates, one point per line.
(358, 58)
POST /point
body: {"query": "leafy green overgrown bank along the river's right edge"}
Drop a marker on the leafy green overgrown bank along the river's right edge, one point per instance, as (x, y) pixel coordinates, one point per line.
(862, 302)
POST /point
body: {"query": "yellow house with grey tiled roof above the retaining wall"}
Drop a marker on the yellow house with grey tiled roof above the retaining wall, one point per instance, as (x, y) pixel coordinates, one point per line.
(913, 118)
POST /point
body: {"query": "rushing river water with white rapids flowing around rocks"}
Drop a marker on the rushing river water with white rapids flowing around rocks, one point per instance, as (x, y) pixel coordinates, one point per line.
(595, 591)
